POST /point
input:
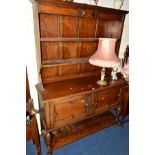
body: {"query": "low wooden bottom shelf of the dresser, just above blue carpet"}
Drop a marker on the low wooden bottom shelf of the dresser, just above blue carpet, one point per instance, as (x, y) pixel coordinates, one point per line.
(81, 129)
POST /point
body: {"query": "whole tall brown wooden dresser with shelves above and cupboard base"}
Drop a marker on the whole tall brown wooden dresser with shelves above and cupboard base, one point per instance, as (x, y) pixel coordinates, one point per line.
(71, 104)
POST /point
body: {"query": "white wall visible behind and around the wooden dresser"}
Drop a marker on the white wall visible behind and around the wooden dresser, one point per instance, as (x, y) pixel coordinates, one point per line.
(31, 52)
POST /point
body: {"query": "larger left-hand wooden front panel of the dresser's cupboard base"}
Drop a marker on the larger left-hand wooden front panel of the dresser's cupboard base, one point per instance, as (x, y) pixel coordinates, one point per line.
(70, 110)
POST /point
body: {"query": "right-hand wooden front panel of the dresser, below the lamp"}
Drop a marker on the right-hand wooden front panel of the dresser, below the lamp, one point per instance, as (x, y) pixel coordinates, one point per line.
(105, 99)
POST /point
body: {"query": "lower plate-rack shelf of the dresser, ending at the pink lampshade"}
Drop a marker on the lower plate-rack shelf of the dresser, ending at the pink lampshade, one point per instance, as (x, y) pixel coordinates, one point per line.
(49, 63)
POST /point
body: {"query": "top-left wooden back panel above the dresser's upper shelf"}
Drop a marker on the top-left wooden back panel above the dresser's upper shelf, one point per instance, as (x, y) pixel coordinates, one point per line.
(48, 25)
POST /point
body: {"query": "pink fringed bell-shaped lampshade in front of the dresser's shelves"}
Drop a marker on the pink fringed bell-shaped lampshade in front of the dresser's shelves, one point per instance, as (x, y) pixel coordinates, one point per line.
(105, 55)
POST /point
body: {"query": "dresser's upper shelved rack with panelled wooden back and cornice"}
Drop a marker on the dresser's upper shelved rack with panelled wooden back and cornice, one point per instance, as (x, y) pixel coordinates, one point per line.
(68, 35)
